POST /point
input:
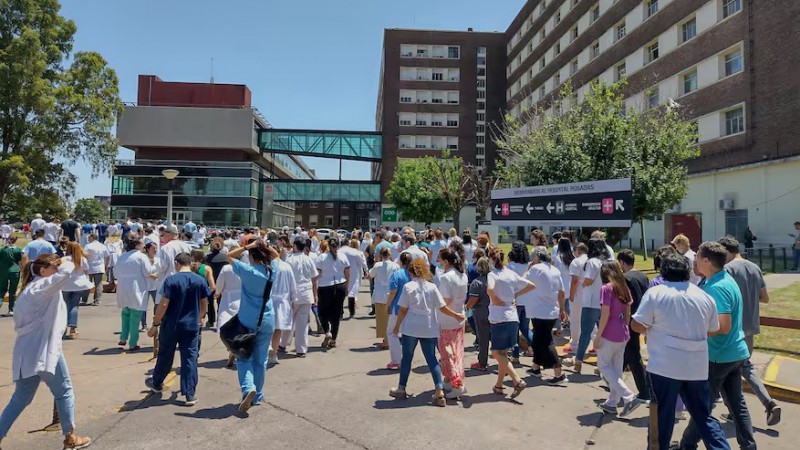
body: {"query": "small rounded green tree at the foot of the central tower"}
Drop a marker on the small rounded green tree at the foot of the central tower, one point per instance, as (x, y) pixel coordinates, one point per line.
(412, 194)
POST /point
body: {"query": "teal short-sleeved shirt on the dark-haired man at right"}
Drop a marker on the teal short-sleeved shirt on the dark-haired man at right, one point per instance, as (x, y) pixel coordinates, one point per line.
(731, 347)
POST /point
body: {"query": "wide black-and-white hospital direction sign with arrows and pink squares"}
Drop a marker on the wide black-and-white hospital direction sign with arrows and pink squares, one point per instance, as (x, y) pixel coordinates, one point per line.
(604, 203)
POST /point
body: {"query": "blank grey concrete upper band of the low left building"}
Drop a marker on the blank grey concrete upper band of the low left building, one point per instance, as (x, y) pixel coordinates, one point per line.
(164, 126)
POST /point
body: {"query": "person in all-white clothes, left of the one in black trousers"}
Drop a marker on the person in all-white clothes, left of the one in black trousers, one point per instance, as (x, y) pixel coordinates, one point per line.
(305, 275)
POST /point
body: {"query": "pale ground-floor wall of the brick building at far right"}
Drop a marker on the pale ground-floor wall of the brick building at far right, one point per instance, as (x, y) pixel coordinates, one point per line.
(768, 191)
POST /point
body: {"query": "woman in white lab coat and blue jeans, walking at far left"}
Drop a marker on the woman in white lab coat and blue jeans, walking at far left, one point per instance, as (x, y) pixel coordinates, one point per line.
(40, 320)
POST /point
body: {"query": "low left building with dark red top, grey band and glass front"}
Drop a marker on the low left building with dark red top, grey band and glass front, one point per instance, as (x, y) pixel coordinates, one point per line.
(208, 132)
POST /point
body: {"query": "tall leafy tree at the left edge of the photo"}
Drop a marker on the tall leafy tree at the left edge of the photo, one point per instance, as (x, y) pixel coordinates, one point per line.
(51, 116)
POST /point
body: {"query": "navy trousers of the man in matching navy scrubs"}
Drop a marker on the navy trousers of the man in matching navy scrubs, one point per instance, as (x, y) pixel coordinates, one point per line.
(189, 341)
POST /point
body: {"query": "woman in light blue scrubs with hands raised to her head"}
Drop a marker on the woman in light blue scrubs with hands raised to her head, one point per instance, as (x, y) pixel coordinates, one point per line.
(254, 276)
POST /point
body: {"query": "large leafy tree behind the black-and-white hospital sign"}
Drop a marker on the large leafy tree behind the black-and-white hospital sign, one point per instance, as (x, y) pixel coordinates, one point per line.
(600, 139)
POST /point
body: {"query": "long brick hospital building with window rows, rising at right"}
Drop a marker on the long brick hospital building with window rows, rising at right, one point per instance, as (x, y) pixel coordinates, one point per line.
(730, 63)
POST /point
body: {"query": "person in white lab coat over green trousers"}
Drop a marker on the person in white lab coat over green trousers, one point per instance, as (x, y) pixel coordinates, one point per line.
(133, 270)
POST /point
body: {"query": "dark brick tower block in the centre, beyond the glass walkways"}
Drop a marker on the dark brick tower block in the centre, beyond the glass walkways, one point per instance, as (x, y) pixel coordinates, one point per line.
(439, 90)
